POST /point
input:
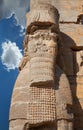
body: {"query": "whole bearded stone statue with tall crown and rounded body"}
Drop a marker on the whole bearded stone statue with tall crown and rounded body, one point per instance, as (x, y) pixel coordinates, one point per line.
(42, 97)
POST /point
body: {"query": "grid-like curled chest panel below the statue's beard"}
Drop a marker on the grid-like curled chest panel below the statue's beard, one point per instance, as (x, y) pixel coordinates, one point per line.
(41, 107)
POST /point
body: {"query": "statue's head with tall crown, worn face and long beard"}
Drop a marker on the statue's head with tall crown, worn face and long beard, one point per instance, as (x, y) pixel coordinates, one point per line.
(43, 34)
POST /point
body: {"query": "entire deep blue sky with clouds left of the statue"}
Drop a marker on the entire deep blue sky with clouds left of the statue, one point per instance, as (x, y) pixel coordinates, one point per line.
(12, 31)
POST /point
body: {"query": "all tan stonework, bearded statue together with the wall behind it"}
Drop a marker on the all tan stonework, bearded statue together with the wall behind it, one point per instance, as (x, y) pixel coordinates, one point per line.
(48, 93)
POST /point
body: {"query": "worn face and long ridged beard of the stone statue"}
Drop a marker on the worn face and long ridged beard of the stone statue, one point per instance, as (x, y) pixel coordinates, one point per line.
(42, 54)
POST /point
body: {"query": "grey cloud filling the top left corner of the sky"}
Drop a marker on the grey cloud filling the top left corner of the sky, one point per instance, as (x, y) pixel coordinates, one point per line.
(19, 7)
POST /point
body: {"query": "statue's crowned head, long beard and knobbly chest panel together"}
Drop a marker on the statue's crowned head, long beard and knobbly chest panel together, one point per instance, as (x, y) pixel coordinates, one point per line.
(42, 34)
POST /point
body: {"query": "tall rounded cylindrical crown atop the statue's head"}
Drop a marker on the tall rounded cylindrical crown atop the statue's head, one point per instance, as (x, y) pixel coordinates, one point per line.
(48, 18)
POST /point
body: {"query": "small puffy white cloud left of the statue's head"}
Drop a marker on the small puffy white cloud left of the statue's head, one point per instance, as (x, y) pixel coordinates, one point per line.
(11, 55)
